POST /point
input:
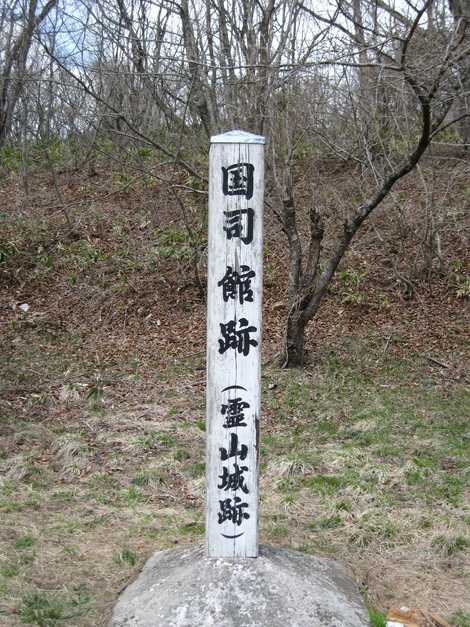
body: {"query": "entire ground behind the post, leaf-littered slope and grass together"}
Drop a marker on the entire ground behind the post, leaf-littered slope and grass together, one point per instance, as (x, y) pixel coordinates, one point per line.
(364, 455)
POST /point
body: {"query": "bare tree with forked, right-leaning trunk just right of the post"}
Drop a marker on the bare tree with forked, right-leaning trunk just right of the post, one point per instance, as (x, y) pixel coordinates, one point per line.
(428, 75)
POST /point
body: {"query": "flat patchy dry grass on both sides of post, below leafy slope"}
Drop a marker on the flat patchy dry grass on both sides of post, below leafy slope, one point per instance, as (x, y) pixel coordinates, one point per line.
(364, 458)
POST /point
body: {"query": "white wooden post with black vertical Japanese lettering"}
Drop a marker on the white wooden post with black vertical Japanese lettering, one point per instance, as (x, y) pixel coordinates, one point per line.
(235, 279)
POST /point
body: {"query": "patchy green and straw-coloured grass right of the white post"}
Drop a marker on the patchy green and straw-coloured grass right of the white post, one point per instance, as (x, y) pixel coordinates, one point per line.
(374, 466)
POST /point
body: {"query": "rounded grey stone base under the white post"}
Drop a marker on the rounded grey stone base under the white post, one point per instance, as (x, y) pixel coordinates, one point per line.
(280, 588)
